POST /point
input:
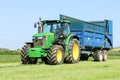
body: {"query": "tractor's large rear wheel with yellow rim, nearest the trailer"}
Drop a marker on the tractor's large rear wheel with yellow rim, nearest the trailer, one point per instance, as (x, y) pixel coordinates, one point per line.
(74, 52)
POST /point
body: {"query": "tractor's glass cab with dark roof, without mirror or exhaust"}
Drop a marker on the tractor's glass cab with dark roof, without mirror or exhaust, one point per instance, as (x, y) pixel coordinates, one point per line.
(59, 28)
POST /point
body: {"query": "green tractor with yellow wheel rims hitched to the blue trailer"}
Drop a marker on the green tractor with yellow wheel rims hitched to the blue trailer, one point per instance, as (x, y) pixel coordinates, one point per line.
(53, 44)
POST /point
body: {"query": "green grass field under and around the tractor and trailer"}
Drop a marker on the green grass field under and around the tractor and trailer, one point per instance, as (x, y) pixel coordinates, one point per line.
(12, 69)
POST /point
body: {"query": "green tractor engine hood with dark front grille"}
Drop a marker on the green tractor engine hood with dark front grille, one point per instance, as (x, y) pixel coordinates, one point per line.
(43, 40)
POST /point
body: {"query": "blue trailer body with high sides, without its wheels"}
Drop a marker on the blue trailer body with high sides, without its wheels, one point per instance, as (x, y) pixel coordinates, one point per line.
(92, 35)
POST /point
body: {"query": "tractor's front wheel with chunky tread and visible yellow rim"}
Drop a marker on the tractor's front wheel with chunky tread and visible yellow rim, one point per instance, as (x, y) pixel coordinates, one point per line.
(55, 55)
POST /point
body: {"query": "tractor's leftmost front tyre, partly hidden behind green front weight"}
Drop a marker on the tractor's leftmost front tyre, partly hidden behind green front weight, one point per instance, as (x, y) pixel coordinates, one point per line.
(24, 56)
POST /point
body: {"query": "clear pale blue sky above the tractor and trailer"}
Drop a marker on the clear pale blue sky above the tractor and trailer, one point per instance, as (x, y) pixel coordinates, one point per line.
(17, 17)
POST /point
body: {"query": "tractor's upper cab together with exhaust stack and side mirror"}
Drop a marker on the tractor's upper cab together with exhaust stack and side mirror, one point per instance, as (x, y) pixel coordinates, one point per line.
(53, 26)
